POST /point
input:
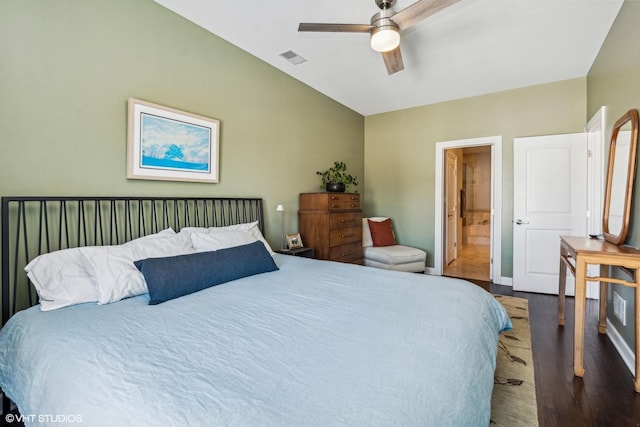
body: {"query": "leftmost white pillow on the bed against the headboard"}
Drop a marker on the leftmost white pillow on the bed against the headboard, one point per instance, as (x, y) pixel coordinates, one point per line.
(61, 278)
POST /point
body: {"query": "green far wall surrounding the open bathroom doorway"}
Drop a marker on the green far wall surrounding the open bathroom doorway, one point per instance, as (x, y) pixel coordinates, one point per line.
(400, 151)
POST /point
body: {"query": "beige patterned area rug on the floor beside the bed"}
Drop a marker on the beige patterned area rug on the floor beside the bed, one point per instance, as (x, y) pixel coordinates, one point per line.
(513, 402)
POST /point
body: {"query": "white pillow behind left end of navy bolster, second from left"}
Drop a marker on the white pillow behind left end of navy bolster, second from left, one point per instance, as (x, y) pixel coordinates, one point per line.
(116, 275)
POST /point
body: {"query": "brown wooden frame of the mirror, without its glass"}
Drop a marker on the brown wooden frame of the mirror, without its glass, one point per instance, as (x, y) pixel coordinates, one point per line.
(632, 117)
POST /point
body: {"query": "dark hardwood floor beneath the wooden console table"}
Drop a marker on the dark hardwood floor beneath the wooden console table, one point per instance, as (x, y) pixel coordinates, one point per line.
(604, 396)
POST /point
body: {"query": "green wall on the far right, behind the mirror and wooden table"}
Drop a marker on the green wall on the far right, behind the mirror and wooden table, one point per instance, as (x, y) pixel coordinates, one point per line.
(614, 81)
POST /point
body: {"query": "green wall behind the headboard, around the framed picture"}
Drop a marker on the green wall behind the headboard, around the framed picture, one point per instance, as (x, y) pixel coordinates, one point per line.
(68, 67)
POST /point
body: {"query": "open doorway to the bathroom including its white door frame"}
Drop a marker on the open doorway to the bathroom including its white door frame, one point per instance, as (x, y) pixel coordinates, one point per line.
(473, 196)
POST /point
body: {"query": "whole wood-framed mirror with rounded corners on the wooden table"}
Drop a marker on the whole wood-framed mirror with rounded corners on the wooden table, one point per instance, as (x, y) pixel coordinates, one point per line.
(620, 175)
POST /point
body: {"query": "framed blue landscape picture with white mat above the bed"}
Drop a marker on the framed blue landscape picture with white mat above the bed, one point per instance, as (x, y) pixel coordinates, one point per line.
(171, 145)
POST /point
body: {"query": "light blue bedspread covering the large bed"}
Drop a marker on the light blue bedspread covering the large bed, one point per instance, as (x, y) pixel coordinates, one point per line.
(314, 344)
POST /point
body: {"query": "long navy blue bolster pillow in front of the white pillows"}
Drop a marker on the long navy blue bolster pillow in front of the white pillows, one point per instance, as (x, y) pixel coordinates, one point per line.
(172, 277)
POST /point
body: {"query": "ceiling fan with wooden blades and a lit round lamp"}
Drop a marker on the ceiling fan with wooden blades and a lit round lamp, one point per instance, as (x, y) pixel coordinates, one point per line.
(385, 27)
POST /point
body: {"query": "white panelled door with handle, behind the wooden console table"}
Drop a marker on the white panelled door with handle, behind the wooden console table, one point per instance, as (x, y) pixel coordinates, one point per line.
(549, 201)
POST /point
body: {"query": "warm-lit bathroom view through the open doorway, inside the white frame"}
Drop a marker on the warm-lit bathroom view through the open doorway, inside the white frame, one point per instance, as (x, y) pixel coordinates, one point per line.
(468, 204)
